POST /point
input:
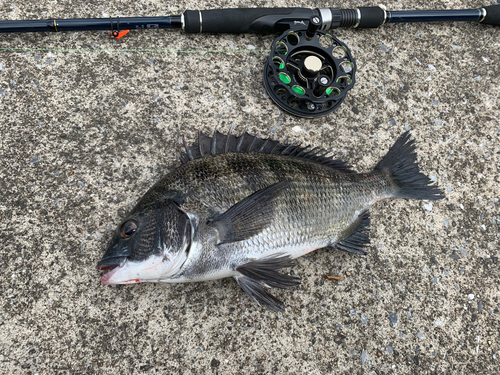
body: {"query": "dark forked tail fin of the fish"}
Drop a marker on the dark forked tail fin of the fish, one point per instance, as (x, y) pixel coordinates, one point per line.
(401, 164)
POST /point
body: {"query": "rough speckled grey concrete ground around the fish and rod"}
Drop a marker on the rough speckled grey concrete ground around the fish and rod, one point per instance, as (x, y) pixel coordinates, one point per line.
(89, 123)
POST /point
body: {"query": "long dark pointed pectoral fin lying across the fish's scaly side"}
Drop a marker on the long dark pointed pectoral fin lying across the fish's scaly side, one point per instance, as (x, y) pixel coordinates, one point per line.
(249, 217)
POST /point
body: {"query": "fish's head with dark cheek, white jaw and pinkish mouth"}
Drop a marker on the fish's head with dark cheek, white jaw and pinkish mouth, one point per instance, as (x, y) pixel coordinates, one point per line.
(149, 245)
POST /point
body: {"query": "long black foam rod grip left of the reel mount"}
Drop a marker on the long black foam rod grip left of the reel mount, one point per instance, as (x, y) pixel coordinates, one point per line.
(243, 20)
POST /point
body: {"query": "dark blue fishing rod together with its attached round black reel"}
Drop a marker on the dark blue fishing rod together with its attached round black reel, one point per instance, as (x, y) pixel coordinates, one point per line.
(309, 71)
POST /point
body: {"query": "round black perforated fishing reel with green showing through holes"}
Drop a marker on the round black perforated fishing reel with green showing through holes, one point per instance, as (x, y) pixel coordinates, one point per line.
(309, 72)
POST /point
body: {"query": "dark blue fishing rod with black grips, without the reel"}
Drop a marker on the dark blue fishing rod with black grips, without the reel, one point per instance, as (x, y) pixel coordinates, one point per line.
(258, 20)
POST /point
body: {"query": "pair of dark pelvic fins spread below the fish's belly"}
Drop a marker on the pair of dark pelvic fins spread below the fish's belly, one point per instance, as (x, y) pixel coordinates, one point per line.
(256, 275)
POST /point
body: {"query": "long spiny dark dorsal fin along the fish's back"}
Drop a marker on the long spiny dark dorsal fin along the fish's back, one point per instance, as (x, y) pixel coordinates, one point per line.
(221, 143)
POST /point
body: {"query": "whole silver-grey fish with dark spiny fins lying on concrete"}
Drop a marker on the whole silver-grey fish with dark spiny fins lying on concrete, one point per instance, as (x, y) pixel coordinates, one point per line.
(245, 207)
